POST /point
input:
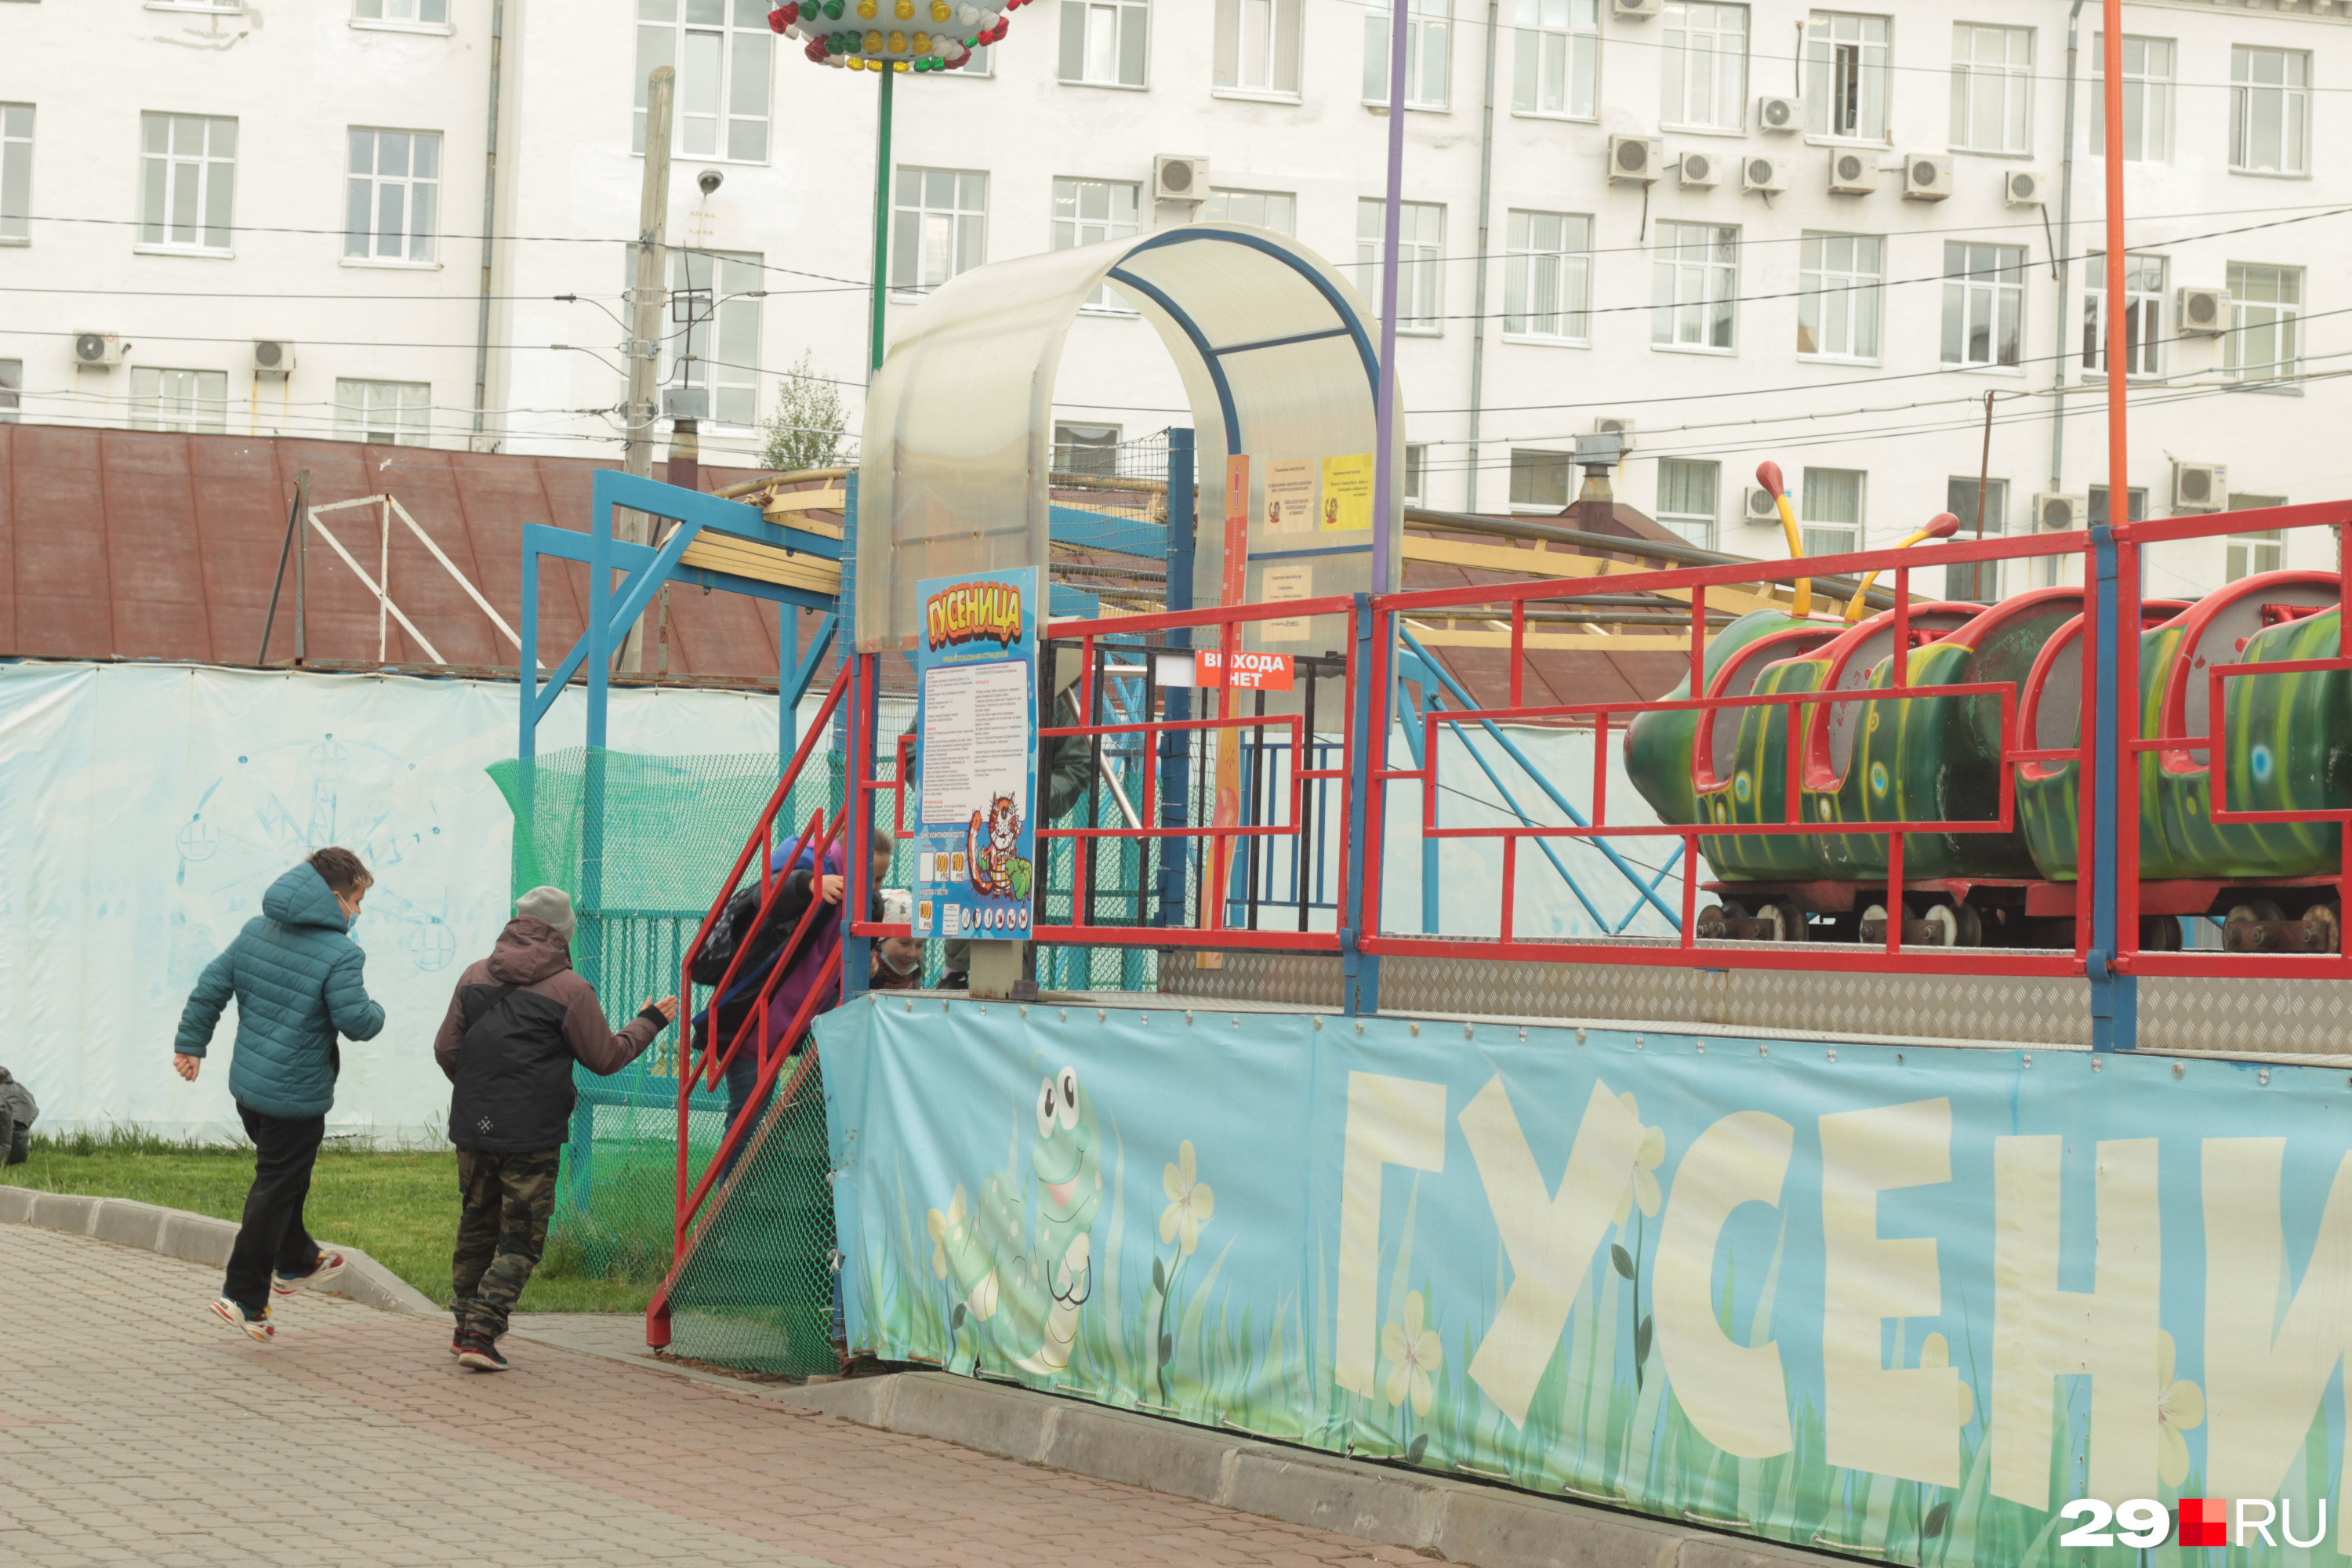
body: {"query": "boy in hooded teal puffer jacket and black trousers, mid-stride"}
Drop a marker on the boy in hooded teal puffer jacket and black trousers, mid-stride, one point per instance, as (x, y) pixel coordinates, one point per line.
(298, 979)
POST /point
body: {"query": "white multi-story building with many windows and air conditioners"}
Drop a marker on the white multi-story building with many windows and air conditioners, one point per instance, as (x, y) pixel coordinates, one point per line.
(1739, 232)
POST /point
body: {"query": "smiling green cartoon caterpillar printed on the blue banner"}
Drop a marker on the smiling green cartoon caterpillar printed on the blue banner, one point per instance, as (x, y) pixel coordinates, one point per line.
(1031, 1292)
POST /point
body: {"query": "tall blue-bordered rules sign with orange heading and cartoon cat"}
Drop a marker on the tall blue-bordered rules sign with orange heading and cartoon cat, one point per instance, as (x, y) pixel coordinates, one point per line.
(977, 756)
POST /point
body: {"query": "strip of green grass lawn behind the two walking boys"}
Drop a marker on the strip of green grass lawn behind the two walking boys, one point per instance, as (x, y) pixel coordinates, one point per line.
(401, 1207)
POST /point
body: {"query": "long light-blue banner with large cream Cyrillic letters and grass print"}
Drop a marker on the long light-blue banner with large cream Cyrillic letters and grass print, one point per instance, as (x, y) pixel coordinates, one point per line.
(1906, 1304)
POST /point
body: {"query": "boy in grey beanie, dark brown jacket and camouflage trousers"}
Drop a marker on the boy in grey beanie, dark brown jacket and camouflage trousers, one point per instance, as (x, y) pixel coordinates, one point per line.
(514, 1028)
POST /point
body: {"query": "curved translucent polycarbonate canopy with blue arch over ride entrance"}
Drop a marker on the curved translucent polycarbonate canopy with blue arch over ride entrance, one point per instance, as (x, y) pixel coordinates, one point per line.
(1278, 361)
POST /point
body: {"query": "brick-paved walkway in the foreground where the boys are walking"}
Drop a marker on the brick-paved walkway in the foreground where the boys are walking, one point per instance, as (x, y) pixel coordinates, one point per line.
(140, 1430)
